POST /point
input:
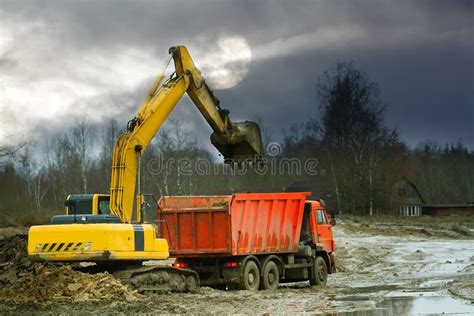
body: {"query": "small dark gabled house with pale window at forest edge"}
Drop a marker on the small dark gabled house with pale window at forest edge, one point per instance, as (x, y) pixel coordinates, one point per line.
(409, 197)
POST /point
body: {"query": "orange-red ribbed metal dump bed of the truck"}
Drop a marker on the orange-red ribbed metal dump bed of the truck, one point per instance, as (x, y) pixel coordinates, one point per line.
(232, 225)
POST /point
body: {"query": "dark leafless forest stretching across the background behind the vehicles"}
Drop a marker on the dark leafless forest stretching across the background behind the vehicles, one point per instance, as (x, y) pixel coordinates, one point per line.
(346, 155)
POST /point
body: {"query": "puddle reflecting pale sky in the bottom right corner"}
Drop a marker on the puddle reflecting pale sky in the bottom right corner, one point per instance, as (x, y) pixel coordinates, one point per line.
(409, 305)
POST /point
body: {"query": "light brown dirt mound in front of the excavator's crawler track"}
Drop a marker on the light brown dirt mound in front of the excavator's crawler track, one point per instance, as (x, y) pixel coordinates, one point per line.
(63, 283)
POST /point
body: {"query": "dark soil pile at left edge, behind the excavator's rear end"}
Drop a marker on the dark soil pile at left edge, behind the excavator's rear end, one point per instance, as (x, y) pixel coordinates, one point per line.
(13, 259)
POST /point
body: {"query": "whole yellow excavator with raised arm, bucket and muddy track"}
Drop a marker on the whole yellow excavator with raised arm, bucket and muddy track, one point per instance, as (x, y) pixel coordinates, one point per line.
(116, 236)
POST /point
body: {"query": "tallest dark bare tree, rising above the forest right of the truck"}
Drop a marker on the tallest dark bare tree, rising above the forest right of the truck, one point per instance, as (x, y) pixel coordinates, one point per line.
(352, 122)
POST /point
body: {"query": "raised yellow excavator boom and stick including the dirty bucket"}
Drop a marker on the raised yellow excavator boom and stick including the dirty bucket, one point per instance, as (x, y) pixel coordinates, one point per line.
(237, 142)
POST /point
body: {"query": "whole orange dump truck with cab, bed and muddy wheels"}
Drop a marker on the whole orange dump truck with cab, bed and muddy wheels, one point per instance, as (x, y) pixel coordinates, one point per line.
(249, 240)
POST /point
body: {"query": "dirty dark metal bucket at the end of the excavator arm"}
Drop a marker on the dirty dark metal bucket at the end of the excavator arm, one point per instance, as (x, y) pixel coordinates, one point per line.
(242, 143)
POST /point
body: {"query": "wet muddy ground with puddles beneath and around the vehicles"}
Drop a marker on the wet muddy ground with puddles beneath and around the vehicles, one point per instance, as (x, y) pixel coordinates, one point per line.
(386, 266)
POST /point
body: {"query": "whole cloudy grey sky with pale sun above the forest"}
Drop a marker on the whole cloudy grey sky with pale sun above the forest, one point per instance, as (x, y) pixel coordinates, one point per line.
(61, 60)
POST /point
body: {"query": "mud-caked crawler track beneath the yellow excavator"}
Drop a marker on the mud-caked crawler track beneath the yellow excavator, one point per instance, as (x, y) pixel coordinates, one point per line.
(159, 279)
